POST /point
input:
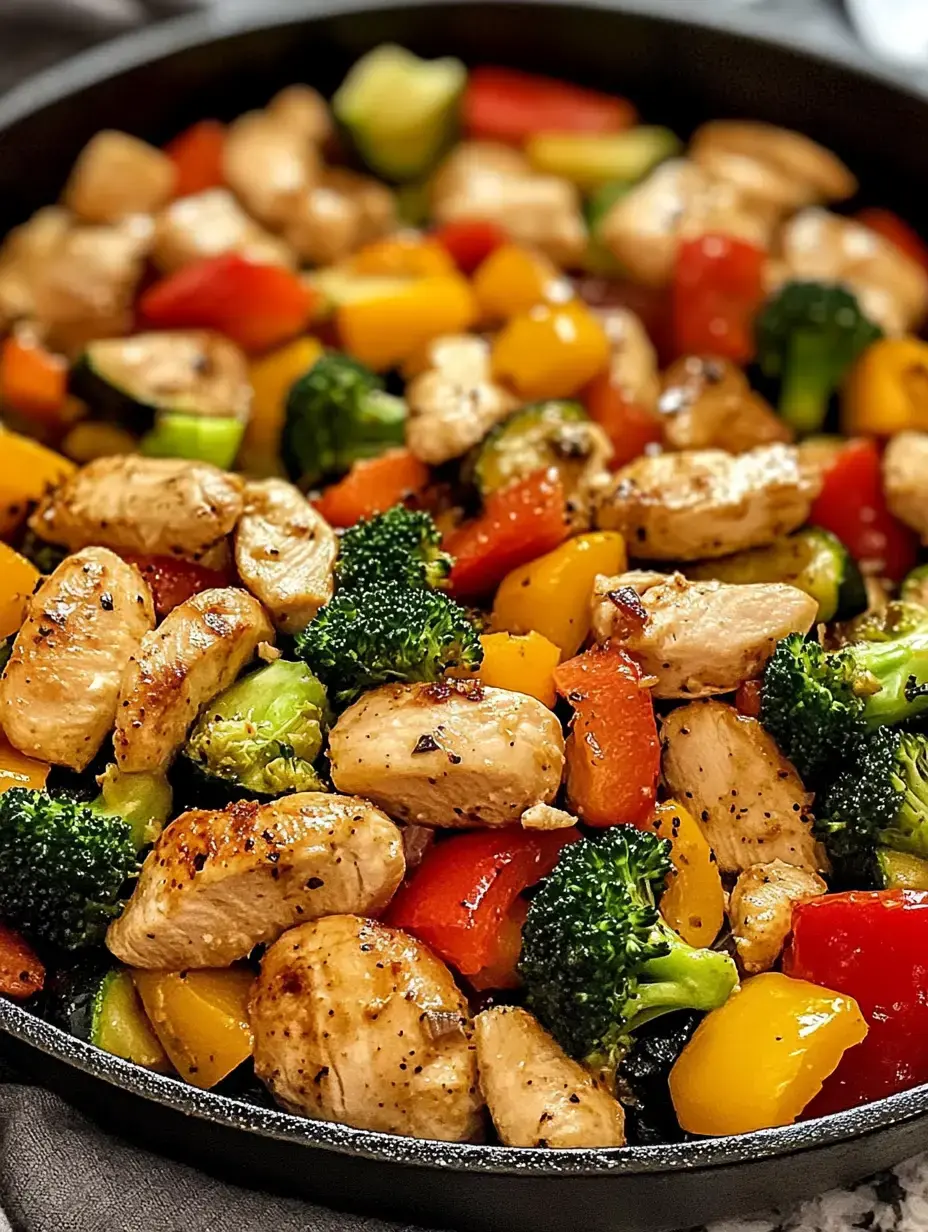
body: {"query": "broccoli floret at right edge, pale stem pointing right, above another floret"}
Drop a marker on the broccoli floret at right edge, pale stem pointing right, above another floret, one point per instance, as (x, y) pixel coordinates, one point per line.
(819, 707)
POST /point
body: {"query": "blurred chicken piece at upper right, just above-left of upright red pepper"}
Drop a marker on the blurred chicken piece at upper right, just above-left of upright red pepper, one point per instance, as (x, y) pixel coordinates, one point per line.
(678, 201)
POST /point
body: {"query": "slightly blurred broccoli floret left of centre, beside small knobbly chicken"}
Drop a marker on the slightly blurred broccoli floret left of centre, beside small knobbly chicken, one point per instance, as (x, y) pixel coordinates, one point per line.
(338, 413)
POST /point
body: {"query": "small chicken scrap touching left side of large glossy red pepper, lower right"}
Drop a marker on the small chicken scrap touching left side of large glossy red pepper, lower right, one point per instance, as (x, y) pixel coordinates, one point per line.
(761, 911)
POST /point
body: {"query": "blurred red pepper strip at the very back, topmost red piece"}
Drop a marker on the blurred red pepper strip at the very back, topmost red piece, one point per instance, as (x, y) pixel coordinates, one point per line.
(506, 105)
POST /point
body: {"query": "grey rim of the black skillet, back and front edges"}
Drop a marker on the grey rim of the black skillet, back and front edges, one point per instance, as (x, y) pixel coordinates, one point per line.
(135, 50)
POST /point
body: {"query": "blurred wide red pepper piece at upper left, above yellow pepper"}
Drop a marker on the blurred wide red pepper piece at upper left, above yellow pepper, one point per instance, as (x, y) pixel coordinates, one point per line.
(257, 306)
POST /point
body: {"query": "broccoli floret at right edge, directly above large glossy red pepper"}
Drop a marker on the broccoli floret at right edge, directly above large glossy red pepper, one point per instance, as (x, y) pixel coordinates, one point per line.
(882, 801)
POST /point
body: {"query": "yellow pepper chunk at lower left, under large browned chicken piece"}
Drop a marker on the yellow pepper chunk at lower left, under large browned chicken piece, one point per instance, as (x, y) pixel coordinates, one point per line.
(201, 1019)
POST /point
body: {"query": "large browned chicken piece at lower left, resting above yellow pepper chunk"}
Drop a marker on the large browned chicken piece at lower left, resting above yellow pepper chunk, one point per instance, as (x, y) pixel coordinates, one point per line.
(219, 884)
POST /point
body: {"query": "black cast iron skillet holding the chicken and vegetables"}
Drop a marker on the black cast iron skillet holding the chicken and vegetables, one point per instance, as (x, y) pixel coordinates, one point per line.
(682, 72)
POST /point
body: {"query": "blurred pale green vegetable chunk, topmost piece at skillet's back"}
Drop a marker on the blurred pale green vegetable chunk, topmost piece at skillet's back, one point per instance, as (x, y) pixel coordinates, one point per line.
(400, 110)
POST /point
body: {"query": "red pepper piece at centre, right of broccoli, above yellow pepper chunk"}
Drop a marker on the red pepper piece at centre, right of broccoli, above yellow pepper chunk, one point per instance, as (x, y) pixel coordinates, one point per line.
(518, 524)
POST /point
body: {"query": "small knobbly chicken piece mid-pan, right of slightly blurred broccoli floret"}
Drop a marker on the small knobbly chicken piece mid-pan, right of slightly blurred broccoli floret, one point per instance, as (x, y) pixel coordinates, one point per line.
(455, 402)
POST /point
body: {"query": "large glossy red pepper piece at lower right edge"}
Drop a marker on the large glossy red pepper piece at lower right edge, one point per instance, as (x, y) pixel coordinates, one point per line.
(872, 947)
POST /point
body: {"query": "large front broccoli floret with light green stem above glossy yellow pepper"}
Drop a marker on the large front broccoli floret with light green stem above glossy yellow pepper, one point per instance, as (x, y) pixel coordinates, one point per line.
(598, 960)
